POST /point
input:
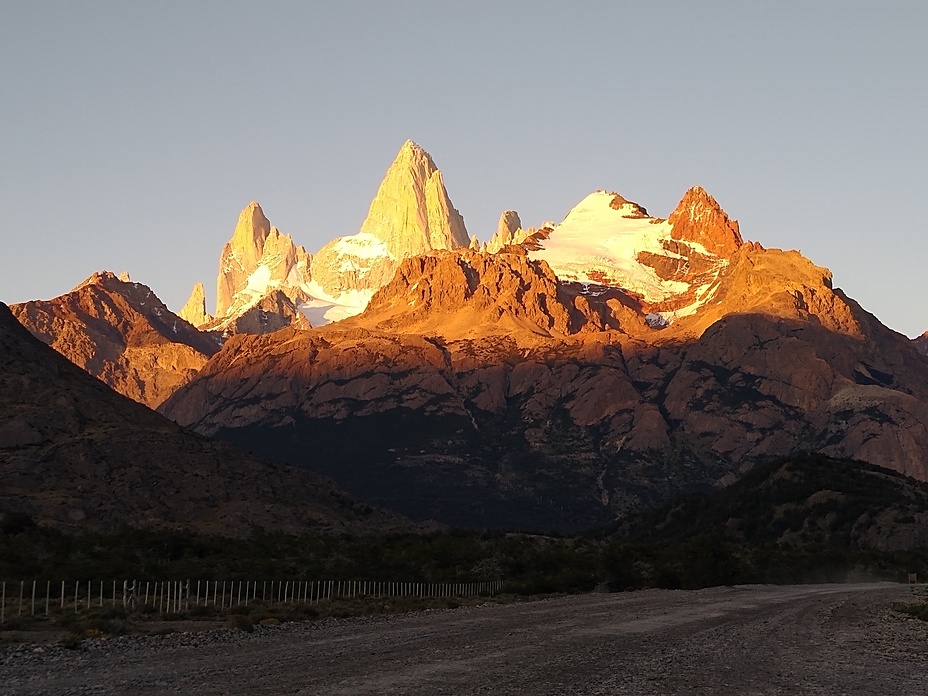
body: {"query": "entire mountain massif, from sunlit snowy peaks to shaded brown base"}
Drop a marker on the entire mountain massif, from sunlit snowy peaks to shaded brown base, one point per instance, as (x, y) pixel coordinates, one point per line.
(550, 378)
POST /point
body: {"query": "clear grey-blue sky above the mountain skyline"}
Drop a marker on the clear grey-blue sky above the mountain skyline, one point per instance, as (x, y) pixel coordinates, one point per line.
(133, 133)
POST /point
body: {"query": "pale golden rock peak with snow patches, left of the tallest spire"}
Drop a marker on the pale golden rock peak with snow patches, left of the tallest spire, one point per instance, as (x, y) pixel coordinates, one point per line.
(256, 262)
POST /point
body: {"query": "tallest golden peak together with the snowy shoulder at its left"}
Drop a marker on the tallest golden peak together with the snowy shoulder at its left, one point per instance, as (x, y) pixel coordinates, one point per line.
(410, 215)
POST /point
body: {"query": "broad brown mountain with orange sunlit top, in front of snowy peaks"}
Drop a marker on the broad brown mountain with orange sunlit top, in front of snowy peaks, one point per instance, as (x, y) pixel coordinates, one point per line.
(479, 390)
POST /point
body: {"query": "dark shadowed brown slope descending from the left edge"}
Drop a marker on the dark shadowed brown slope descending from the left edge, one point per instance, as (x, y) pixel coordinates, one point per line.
(75, 454)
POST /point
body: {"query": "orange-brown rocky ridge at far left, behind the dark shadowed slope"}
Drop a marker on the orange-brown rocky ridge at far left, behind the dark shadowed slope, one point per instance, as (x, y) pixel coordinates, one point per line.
(121, 333)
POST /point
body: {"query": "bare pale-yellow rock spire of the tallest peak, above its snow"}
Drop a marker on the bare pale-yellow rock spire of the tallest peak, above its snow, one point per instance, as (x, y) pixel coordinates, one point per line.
(412, 212)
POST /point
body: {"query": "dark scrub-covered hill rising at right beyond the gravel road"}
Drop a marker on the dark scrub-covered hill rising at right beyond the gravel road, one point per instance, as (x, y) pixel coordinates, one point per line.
(799, 501)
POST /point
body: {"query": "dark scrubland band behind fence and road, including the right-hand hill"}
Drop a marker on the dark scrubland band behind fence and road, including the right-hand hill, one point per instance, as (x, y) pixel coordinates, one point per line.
(800, 520)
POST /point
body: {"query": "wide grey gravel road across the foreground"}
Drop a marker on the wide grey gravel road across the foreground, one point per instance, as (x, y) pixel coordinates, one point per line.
(812, 639)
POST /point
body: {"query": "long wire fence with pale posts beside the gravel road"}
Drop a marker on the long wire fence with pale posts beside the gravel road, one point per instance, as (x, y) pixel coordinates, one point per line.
(36, 597)
